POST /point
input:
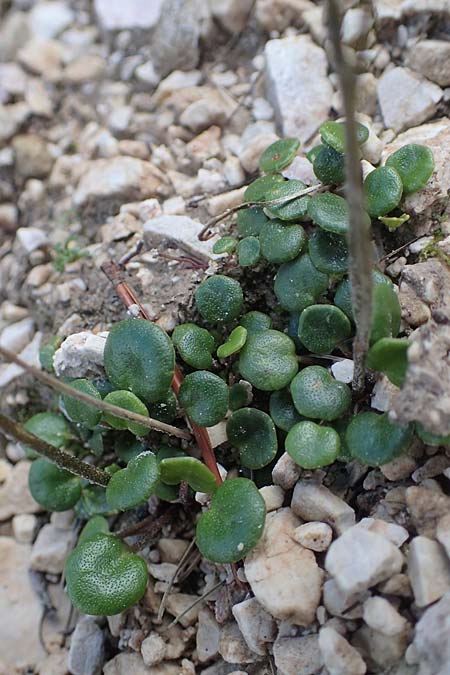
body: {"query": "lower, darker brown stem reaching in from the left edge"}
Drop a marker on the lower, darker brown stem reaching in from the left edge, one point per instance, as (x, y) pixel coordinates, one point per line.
(59, 457)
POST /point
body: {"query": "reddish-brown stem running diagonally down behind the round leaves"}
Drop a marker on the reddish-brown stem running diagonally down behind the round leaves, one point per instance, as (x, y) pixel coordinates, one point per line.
(113, 272)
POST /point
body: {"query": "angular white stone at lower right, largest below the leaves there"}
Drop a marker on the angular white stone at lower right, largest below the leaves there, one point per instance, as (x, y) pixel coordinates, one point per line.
(360, 559)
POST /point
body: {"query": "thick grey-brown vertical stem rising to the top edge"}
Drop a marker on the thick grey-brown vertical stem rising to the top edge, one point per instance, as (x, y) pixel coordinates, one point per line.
(360, 246)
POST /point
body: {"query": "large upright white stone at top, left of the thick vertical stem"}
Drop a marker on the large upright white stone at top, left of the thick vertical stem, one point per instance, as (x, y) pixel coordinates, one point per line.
(296, 70)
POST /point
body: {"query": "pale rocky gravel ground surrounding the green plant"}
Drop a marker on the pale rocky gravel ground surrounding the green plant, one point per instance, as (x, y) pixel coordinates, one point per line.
(128, 120)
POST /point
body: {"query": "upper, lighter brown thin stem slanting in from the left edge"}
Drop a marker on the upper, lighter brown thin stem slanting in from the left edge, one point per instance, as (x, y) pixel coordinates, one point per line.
(66, 389)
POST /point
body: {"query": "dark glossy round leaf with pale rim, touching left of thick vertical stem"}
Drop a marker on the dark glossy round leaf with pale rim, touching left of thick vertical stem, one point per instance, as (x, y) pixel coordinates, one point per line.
(322, 327)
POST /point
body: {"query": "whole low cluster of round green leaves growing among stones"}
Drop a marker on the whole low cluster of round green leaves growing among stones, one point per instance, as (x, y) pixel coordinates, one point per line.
(264, 374)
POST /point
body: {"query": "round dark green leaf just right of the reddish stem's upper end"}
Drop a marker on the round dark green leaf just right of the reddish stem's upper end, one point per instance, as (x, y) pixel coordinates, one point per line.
(219, 299)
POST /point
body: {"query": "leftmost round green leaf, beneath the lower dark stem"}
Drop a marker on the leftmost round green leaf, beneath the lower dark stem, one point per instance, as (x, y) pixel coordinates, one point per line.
(53, 488)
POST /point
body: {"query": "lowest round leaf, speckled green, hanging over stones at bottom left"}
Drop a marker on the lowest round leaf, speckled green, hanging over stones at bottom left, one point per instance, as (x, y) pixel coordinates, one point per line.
(104, 577)
